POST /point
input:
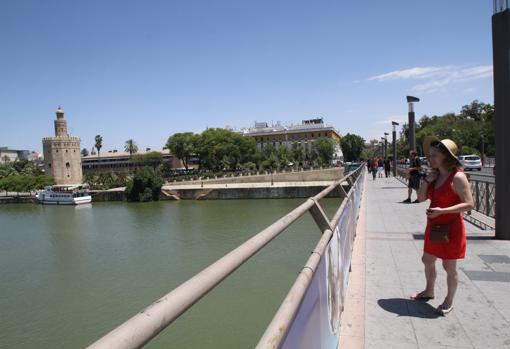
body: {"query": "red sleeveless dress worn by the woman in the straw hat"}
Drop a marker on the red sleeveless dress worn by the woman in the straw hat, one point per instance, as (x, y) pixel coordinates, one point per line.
(444, 196)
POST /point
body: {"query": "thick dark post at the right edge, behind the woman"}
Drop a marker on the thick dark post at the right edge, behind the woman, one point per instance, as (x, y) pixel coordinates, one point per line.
(501, 68)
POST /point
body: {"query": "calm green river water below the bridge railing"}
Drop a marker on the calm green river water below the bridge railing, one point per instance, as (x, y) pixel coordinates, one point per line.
(68, 275)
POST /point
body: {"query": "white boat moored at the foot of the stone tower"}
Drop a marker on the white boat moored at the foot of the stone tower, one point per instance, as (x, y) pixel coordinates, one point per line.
(69, 194)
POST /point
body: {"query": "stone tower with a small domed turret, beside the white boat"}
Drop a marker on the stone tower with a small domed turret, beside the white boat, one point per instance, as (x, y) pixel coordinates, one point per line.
(62, 158)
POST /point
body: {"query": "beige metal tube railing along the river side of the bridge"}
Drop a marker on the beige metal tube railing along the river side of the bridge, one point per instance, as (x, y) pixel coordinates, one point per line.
(148, 323)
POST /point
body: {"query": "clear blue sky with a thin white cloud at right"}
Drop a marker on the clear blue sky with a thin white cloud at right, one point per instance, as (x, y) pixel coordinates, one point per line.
(148, 69)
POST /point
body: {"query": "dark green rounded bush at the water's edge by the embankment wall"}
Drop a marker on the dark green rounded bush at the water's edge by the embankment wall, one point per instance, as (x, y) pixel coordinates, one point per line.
(145, 186)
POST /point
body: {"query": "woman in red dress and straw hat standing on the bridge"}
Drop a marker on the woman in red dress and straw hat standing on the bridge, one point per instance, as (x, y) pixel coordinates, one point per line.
(449, 191)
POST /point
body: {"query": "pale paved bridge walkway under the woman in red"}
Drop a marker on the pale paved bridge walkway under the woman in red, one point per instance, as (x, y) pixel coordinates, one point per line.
(387, 269)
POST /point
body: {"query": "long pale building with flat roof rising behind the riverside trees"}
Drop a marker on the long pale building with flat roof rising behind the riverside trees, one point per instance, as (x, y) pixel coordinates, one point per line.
(304, 134)
